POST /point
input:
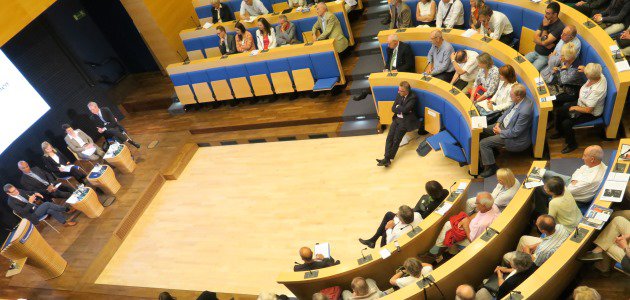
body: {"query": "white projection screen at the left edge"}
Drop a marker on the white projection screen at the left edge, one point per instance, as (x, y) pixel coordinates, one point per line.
(20, 104)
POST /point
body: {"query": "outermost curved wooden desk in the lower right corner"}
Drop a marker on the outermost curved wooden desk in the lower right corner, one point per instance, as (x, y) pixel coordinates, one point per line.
(558, 271)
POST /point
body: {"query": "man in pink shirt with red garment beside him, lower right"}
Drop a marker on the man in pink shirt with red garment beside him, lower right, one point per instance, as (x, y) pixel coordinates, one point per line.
(468, 228)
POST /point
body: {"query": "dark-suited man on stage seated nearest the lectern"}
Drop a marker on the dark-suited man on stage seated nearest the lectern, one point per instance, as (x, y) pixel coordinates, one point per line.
(23, 204)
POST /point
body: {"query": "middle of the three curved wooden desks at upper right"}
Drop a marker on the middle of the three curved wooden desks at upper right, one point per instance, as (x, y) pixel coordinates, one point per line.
(500, 51)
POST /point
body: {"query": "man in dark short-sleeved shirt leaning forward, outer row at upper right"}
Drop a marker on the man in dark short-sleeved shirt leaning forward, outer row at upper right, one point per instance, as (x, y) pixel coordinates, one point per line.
(546, 36)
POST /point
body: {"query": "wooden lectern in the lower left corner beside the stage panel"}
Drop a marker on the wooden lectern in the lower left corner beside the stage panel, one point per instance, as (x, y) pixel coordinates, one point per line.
(26, 242)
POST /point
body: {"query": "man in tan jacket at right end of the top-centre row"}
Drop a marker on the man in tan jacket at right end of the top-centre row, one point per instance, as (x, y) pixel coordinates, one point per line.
(330, 28)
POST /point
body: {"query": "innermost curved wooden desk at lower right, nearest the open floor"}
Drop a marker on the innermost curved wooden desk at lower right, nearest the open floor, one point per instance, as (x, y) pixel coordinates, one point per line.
(378, 269)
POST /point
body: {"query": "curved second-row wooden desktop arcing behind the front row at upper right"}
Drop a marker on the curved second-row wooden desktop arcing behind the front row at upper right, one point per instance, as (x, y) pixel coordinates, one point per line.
(418, 38)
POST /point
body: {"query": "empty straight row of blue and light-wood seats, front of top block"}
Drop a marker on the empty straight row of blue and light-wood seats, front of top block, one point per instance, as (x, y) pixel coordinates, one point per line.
(280, 70)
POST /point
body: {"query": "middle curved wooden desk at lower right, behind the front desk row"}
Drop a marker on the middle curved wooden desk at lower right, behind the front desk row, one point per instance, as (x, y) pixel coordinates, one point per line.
(478, 259)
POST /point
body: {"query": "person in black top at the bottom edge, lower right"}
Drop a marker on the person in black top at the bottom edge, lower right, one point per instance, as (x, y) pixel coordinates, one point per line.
(521, 267)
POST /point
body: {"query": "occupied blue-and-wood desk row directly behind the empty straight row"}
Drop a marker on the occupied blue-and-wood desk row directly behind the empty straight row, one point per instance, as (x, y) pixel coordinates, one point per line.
(201, 43)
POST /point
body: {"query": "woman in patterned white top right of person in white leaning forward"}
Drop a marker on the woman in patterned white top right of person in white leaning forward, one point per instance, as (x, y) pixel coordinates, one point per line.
(487, 80)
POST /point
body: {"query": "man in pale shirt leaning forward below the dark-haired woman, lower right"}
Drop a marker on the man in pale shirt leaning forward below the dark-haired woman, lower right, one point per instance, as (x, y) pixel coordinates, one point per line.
(541, 248)
